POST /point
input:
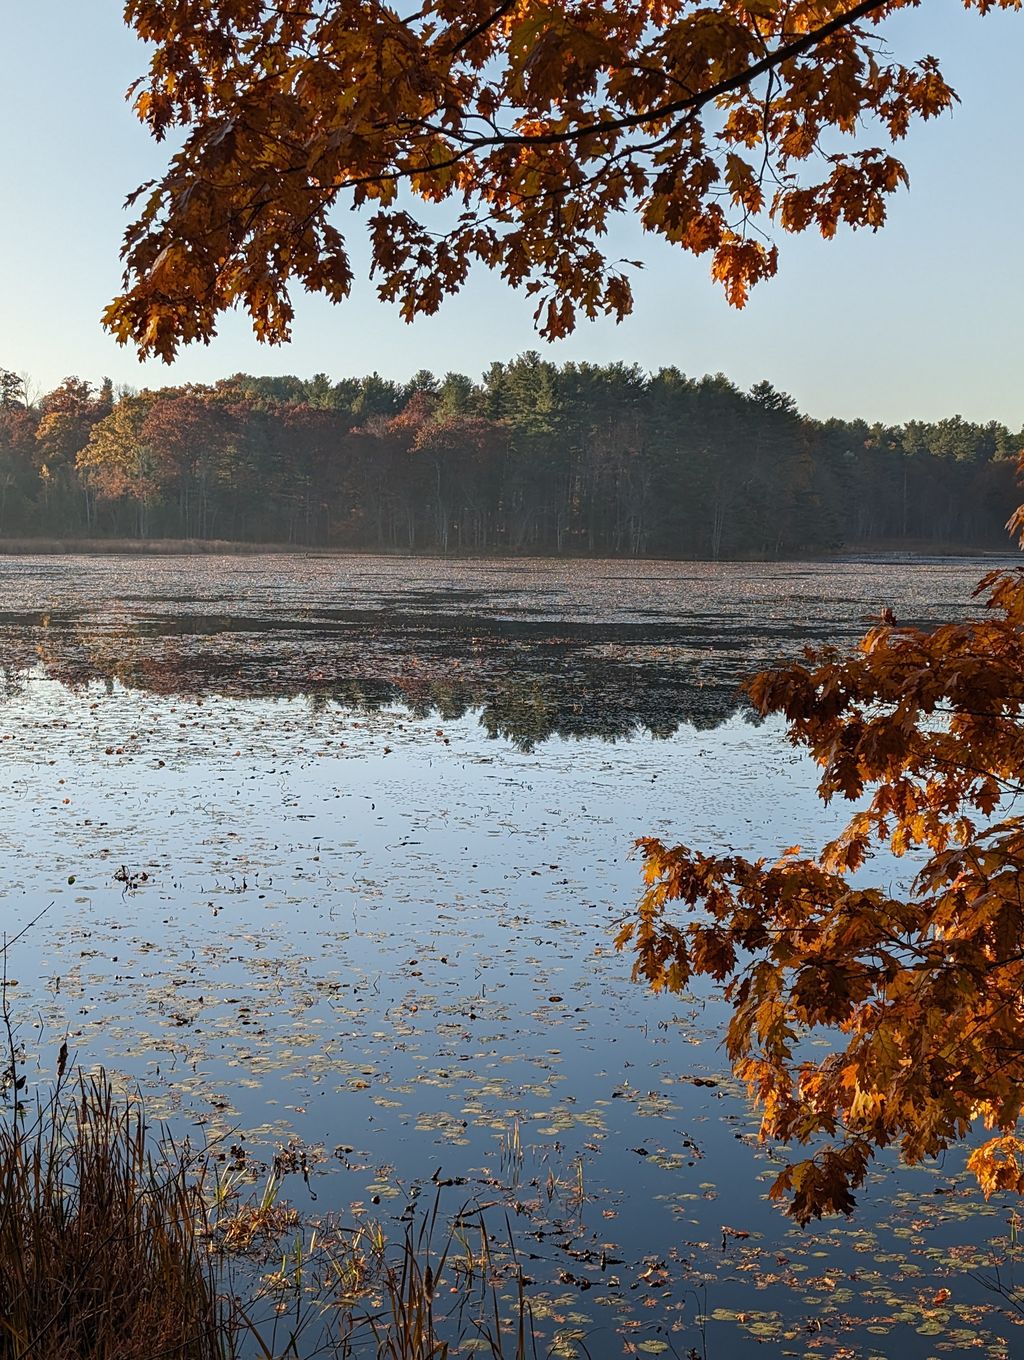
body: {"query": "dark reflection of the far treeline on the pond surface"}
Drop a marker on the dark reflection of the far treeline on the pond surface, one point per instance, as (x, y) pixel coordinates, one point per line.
(528, 681)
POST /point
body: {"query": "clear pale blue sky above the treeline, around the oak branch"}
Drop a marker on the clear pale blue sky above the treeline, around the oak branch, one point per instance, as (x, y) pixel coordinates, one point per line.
(919, 322)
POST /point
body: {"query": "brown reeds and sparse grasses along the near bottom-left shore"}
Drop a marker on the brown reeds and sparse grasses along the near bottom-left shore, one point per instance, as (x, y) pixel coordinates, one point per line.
(118, 1241)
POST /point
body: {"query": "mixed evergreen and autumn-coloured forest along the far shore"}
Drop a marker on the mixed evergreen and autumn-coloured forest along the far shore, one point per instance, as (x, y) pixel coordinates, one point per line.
(535, 459)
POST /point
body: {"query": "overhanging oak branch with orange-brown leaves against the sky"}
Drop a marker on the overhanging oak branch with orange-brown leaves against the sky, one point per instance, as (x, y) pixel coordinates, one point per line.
(532, 123)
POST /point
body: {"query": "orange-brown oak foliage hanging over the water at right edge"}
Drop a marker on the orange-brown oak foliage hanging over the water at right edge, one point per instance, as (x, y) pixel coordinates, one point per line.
(921, 993)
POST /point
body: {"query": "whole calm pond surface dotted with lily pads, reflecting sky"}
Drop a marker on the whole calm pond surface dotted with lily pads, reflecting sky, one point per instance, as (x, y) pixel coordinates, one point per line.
(337, 849)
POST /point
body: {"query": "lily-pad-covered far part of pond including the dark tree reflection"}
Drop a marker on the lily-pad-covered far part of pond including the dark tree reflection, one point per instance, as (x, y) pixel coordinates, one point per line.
(536, 649)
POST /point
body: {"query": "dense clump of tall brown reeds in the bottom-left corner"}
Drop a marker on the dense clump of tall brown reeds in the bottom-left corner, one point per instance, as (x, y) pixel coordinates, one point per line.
(103, 1238)
